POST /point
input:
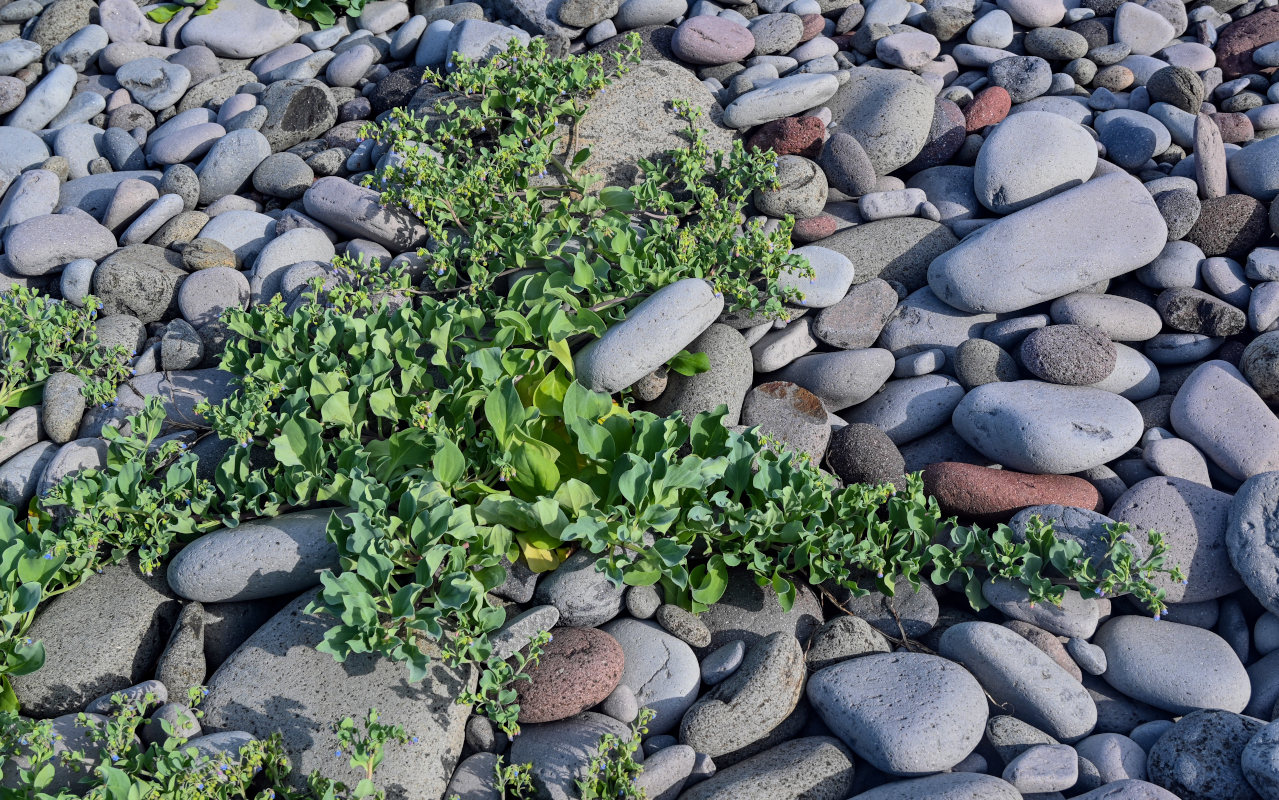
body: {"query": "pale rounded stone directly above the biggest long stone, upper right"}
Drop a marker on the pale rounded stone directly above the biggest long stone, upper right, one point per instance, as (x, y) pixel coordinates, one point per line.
(1030, 158)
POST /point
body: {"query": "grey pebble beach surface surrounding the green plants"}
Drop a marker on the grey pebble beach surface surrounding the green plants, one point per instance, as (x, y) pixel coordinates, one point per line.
(1046, 243)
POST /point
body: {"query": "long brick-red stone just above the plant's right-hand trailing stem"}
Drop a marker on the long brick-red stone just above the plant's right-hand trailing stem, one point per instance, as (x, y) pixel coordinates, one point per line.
(991, 496)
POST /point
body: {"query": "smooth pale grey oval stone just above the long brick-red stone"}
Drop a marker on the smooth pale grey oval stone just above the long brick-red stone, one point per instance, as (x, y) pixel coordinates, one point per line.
(1035, 427)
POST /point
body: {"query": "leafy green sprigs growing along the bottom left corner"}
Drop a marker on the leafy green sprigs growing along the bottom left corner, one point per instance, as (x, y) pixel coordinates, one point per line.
(116, 766)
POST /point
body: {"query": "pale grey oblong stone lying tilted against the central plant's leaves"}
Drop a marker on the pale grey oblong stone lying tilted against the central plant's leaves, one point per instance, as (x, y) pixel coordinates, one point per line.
(653, 333)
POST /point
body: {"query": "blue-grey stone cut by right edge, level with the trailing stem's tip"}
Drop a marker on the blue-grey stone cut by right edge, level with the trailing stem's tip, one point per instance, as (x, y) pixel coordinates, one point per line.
(1253, 537)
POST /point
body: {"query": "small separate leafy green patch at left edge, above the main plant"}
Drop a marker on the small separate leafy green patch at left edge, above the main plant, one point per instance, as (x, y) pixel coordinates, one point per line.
(40, 336)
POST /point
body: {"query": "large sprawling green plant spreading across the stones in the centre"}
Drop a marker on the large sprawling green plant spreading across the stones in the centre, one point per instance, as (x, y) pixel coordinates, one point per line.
(450, 420)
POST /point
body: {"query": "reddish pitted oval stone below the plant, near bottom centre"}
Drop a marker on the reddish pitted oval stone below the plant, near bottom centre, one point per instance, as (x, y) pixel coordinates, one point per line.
(579, 669)
